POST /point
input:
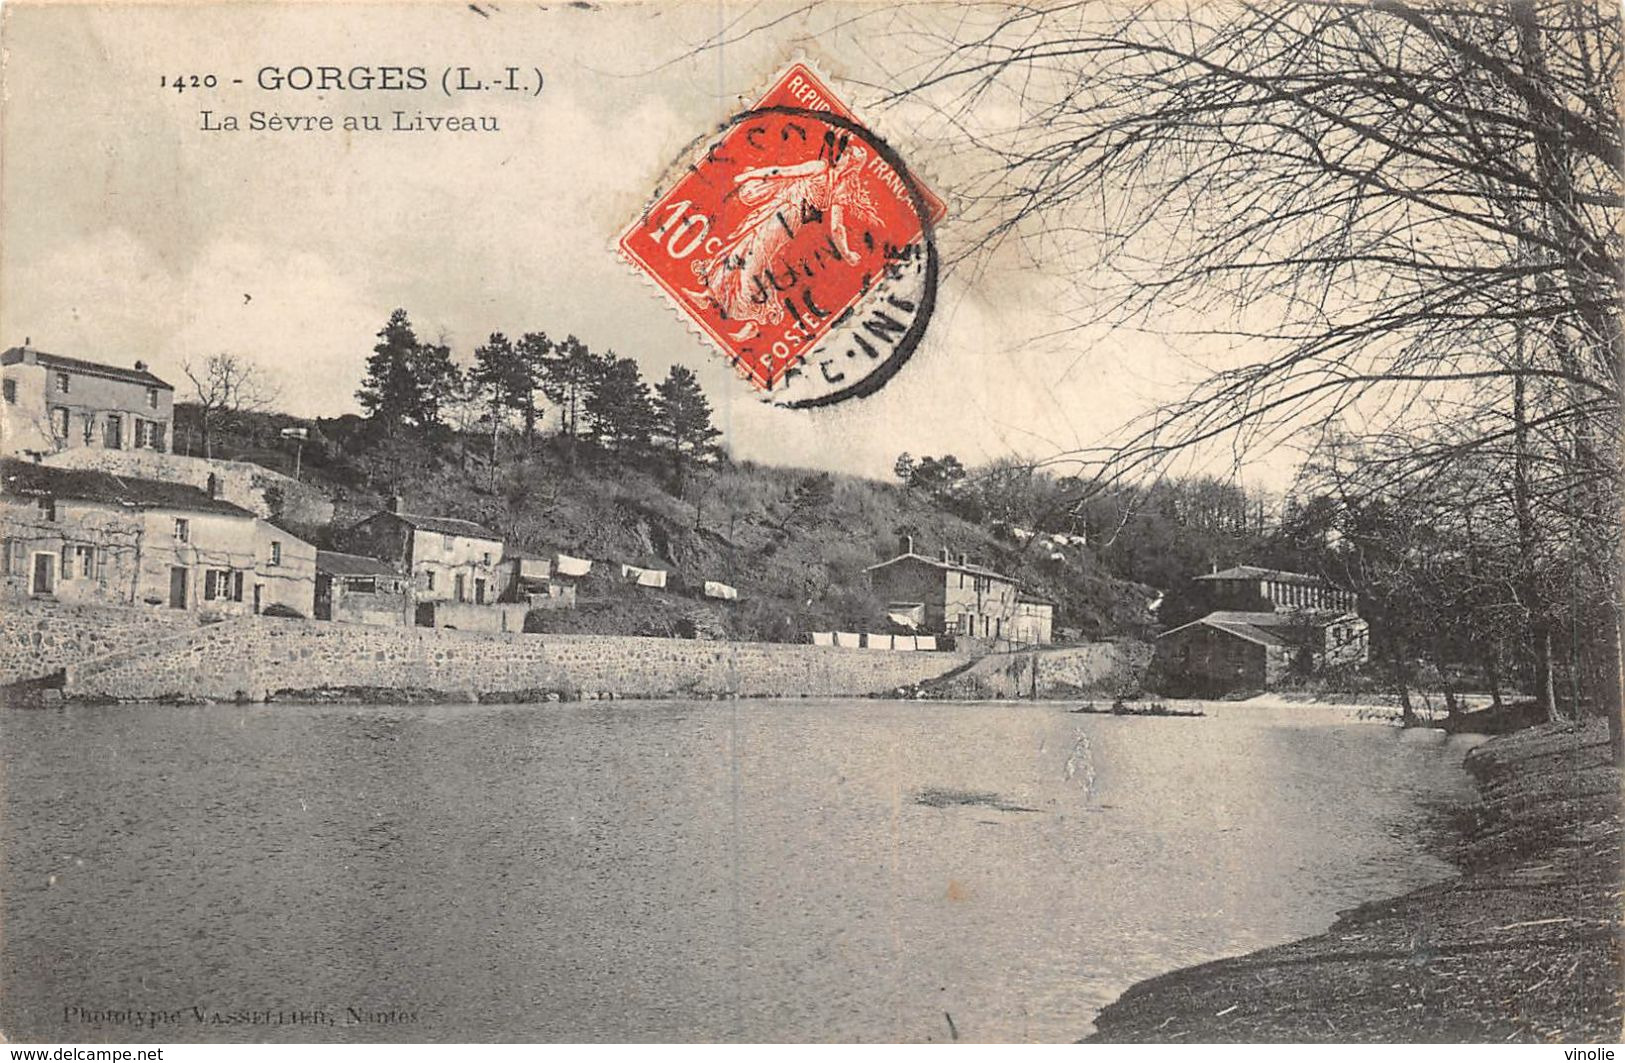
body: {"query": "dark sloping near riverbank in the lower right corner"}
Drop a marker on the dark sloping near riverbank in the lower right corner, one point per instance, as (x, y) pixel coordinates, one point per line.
(1523, 947)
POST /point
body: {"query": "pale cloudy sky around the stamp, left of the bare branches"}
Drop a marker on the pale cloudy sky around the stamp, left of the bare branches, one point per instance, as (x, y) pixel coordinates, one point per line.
(128, 232)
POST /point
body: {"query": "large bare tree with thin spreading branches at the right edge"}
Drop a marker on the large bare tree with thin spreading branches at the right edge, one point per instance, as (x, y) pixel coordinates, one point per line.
(1405, 219)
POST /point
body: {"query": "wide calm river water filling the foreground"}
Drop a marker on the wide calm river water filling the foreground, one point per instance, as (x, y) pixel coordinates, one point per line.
(789, 870)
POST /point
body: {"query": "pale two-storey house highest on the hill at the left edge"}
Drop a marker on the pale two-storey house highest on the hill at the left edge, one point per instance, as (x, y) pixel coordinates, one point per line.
(56, 404)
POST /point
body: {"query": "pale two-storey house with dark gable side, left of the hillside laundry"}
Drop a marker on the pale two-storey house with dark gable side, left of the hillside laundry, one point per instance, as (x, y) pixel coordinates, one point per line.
(448, 560)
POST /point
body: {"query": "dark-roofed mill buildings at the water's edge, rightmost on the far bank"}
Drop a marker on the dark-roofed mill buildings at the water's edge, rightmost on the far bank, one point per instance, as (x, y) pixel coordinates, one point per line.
(1263, 625)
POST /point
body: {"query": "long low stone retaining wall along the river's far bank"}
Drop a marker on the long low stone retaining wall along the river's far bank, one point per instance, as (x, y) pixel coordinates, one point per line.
(256, 657)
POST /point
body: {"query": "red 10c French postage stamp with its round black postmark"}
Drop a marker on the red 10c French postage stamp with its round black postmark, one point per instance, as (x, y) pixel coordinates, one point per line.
(789, 236)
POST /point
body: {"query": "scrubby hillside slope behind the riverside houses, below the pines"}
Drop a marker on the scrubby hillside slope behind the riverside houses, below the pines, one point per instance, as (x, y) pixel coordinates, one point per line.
(794, 542)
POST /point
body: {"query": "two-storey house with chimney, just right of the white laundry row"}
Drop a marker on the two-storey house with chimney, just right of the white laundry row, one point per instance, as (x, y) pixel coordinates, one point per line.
(942, 596)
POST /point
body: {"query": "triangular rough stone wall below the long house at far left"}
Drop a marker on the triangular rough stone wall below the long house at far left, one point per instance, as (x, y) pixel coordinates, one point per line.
(41, 638)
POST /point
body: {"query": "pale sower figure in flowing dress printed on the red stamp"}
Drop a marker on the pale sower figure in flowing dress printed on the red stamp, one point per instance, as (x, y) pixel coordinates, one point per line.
(779, 199)
